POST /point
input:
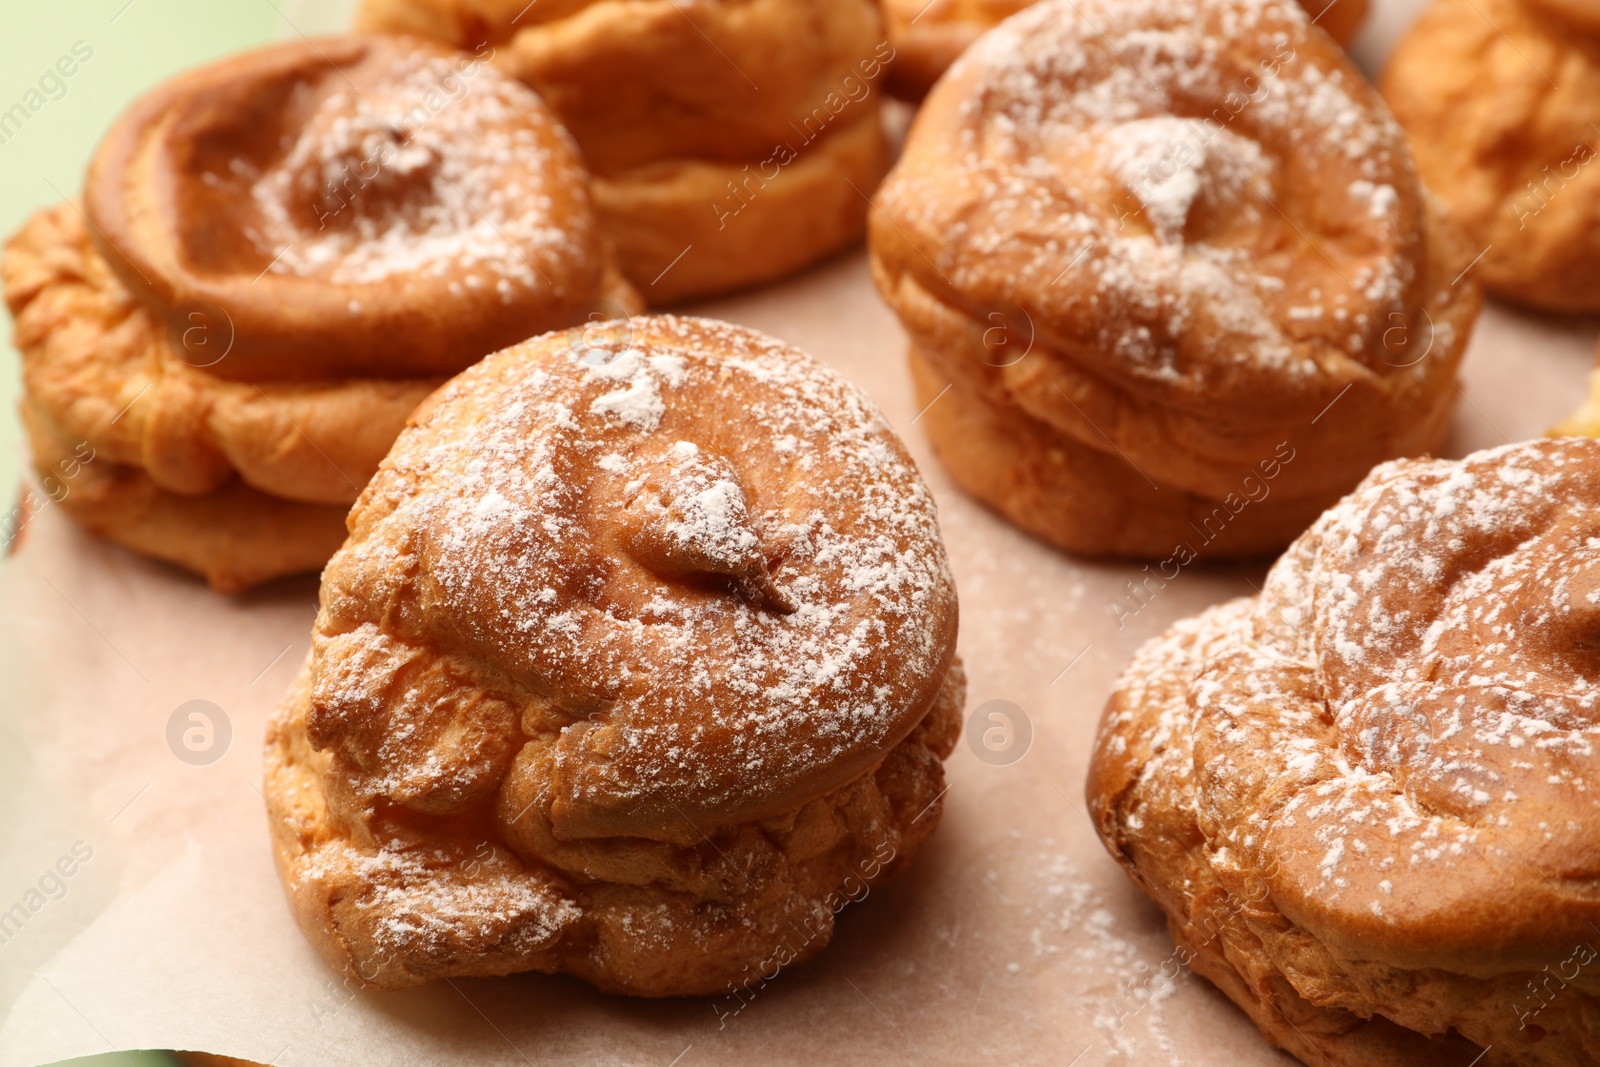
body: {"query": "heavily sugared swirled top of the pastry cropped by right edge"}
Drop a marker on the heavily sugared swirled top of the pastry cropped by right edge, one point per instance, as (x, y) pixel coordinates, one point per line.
(1402, 732)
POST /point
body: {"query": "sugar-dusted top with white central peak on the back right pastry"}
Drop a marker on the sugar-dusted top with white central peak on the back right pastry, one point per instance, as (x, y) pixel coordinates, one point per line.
(1198, 199)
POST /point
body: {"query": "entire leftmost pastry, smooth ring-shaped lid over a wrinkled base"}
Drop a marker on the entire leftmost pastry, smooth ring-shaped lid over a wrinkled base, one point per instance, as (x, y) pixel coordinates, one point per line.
(276, 260)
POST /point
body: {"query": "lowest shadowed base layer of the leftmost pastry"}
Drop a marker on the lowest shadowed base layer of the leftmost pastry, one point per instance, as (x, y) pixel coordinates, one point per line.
(233, 537)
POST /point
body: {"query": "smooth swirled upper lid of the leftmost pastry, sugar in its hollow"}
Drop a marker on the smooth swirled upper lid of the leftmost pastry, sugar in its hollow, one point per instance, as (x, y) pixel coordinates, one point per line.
(348, 207)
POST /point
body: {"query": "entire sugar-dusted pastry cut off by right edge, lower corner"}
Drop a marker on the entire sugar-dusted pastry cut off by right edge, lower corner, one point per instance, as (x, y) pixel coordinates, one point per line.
(1366, 797)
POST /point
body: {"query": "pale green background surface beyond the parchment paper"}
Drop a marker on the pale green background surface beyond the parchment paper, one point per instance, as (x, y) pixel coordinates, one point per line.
(135, 46)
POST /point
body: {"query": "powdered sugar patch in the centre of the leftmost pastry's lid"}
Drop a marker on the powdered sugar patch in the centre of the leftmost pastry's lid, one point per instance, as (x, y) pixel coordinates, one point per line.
(436, 174)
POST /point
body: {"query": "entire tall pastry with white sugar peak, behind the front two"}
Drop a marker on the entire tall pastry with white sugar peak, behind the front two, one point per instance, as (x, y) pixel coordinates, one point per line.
(1177, 297)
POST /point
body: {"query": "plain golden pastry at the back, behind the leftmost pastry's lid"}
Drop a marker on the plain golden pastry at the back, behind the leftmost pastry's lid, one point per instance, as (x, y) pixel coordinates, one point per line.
(732, 142)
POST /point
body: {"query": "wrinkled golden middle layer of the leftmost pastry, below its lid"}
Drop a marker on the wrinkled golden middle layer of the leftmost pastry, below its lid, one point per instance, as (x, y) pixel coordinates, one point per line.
(105, 372)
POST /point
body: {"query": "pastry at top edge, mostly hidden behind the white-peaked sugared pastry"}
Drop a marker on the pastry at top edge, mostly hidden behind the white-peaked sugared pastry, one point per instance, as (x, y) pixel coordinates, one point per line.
(929, 34)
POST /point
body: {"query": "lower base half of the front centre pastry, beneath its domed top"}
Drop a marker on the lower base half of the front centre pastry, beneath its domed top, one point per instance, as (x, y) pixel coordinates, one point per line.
(463, 903)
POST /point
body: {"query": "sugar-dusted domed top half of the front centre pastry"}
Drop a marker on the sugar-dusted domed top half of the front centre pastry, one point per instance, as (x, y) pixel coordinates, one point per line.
(698, 562)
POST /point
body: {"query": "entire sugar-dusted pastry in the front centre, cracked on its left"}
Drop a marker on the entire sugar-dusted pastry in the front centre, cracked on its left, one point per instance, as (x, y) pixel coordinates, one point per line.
(638, 665)
